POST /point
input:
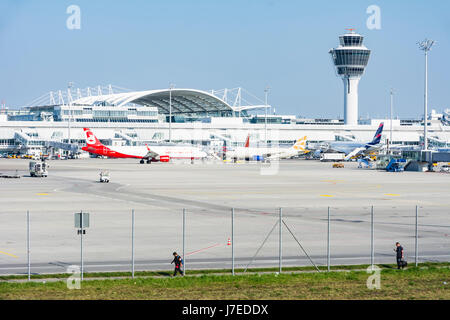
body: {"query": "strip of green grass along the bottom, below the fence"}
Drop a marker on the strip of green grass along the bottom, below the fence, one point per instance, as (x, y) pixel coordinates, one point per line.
(414, 283)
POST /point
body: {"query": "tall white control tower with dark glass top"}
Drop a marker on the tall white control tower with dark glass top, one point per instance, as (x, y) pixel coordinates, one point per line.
(350, 59)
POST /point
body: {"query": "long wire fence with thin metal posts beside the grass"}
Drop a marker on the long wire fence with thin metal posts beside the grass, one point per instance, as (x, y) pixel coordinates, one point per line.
(235, 240)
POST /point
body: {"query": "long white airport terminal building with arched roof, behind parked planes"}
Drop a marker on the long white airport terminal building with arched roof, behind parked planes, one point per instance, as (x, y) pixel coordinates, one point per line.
(208, 118)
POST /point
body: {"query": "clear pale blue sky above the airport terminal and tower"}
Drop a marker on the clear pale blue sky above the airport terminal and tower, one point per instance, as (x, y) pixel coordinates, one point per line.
(208, 44)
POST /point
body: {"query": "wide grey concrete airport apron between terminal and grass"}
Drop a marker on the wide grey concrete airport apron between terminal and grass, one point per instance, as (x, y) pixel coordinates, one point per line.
(158, 193)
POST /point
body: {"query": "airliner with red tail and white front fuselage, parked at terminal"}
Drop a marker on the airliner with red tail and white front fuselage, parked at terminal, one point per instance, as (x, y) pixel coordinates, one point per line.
(153, 153)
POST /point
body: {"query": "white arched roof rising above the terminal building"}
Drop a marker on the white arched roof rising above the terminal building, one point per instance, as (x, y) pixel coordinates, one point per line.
(183, 101)
